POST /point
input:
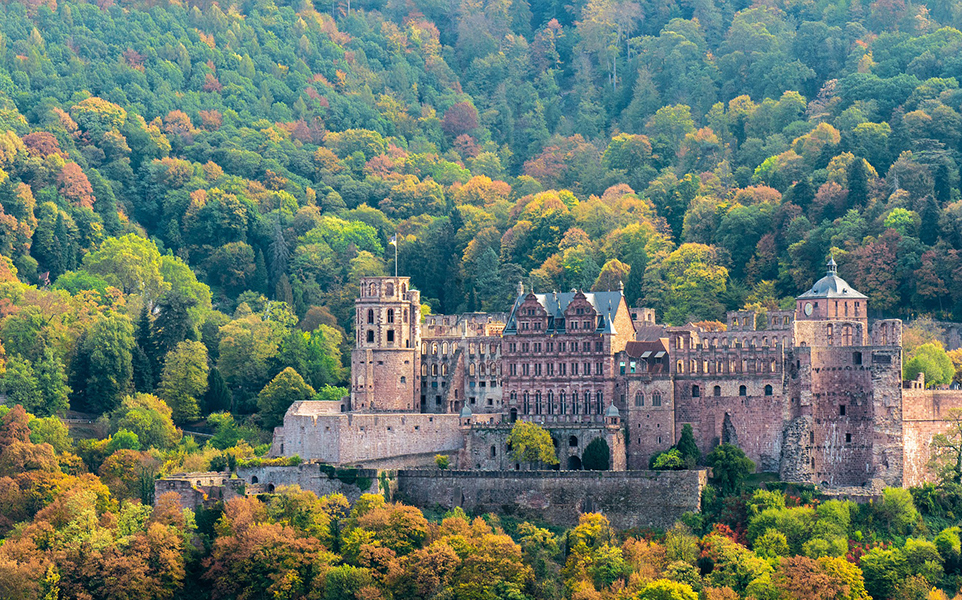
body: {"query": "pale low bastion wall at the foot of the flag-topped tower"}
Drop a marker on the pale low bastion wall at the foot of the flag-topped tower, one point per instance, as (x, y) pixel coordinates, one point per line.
(368, 438)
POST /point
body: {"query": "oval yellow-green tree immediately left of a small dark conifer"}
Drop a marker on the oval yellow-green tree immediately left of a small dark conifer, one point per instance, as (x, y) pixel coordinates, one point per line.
(184, 380)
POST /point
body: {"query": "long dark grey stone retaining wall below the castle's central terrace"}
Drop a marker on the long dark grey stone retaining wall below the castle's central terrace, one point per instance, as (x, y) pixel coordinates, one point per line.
(627, 498)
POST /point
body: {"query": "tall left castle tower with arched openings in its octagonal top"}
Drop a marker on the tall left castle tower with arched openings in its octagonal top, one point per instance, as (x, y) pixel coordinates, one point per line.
(386, 356)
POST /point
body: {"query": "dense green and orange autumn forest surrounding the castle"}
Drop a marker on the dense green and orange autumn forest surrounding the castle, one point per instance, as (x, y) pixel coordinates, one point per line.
(190, 192)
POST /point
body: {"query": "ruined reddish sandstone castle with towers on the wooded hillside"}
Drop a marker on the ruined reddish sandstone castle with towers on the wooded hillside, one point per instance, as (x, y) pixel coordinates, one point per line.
(815, 394)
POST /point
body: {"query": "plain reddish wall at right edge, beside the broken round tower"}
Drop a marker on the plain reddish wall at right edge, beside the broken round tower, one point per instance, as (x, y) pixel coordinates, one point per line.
(923, 414)
